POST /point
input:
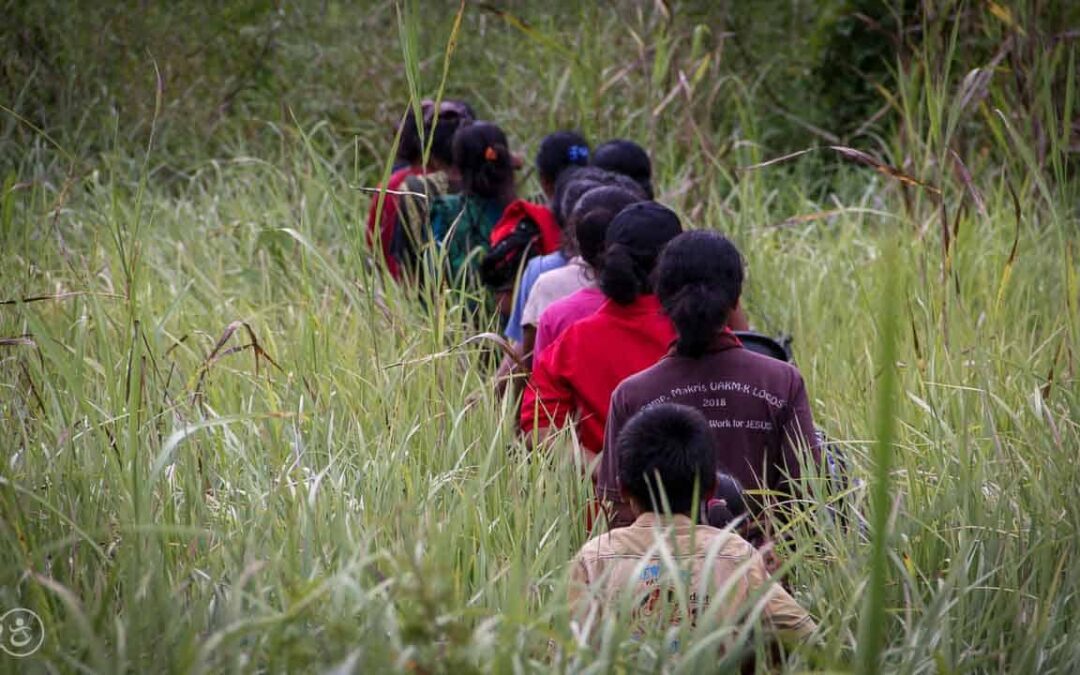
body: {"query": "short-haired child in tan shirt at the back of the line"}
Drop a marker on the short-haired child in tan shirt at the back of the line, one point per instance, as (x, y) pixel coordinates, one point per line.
(668, 461)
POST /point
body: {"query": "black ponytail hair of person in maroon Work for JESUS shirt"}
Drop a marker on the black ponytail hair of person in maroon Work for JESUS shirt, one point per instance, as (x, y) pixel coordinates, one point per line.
(699, 282)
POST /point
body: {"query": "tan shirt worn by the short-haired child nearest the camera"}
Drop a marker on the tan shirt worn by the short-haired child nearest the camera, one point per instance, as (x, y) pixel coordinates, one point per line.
(714, 565)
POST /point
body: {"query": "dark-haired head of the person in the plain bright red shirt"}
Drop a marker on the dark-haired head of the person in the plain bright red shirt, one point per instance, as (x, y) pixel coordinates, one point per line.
(632, 246)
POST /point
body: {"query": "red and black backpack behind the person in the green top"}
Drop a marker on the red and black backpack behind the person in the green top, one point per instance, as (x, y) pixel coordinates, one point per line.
(524, 231)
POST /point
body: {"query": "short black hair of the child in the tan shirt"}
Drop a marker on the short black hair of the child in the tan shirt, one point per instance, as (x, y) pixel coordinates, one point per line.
(667, 448)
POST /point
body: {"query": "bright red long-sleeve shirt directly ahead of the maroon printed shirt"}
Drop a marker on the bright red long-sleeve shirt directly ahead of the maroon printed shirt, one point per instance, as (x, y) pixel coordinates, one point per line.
(577, 374)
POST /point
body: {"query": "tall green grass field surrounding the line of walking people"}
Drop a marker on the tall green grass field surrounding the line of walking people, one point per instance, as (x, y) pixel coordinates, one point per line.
(231, 443)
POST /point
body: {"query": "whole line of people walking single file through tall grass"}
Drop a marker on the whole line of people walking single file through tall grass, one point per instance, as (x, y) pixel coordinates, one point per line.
(628, 328)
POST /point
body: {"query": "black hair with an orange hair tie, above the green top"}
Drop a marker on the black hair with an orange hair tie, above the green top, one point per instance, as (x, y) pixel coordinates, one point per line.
(482, 156)
